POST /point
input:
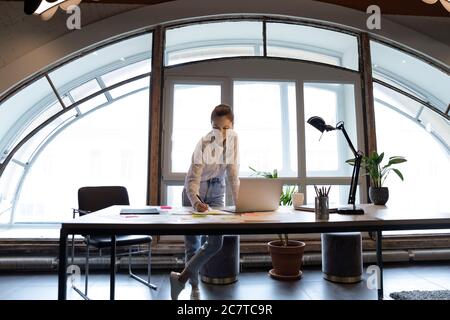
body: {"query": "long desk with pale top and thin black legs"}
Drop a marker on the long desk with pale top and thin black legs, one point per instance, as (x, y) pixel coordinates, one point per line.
(285, 220)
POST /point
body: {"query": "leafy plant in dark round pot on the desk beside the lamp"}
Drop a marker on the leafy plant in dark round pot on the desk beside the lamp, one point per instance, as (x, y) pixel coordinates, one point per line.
(378, 173)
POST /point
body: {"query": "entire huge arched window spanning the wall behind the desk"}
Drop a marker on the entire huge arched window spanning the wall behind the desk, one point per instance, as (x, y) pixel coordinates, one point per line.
(86, 121)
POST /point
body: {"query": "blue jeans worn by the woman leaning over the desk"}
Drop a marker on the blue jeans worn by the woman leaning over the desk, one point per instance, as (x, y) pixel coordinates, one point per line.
(199, 249)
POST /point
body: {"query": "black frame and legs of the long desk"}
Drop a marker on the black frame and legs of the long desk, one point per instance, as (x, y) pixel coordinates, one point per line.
(192, 229)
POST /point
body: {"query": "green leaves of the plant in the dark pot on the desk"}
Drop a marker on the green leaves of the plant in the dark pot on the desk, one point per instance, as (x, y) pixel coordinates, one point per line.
(377, 172)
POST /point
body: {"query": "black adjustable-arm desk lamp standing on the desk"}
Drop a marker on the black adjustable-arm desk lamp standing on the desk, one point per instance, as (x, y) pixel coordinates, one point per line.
(319, 124)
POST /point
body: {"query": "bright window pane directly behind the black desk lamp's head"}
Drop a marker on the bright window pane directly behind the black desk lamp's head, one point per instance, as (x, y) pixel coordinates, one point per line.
(326, 153)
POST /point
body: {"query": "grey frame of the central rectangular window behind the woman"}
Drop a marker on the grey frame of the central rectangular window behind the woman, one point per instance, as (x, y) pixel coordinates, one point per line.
(200, 72)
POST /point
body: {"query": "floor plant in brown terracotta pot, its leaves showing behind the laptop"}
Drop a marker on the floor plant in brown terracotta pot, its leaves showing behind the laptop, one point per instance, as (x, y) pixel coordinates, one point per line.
(287, 255)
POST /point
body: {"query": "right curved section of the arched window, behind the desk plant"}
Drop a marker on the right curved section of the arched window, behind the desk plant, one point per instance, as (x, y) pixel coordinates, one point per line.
(411, 101)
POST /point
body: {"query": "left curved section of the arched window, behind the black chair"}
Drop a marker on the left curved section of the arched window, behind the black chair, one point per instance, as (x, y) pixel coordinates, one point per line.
(84, 123)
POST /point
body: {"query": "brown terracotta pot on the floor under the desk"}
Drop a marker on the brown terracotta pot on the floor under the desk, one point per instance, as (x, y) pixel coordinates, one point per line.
(286, 260)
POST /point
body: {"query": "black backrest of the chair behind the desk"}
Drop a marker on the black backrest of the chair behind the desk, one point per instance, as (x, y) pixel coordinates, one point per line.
(97, 198)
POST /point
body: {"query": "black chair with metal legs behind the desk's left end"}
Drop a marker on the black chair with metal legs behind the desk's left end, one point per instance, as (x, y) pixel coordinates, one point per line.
(91, 199)
